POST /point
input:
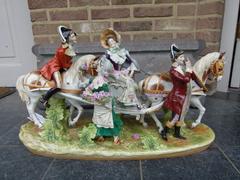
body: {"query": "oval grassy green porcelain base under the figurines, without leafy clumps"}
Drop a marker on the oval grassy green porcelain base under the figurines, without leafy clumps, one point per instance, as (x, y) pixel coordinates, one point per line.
(198, 139)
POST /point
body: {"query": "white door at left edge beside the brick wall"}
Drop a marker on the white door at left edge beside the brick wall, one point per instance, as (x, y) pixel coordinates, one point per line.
(16, 57)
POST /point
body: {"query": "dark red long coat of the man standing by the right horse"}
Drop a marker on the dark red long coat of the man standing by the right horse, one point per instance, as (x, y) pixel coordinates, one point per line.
(176, 97)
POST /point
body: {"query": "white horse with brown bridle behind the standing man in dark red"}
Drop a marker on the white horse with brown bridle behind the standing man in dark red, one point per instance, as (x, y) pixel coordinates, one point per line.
(209, 69)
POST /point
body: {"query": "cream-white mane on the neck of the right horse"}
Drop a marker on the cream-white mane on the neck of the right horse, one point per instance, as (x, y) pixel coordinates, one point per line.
(204, 63)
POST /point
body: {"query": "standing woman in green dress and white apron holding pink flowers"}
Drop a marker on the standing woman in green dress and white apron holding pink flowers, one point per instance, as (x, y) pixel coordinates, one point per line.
(108, 123)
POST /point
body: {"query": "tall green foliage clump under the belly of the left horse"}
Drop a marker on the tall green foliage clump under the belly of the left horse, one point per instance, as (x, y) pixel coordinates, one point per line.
(56, 124)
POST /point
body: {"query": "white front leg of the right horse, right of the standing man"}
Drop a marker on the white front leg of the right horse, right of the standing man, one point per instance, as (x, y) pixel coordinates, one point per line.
(195, 100)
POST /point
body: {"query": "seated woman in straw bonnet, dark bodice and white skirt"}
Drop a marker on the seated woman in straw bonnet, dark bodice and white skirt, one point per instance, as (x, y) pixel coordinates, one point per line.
(124, 66)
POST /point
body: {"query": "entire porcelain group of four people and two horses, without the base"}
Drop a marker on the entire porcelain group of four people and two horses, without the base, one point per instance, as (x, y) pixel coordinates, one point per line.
(108, 83)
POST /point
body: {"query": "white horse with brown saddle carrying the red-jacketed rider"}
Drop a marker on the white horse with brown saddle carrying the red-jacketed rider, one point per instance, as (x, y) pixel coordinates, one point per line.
(32, 86)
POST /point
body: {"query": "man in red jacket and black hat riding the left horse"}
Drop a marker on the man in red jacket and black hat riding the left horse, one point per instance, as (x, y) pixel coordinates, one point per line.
(60, 62)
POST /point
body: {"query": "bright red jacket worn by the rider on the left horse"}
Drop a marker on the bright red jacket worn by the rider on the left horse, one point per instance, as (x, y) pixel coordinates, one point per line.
(58, 62)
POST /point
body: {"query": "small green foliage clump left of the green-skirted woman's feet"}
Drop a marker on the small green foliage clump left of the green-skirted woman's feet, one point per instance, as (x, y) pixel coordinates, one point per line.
(87, 134)
